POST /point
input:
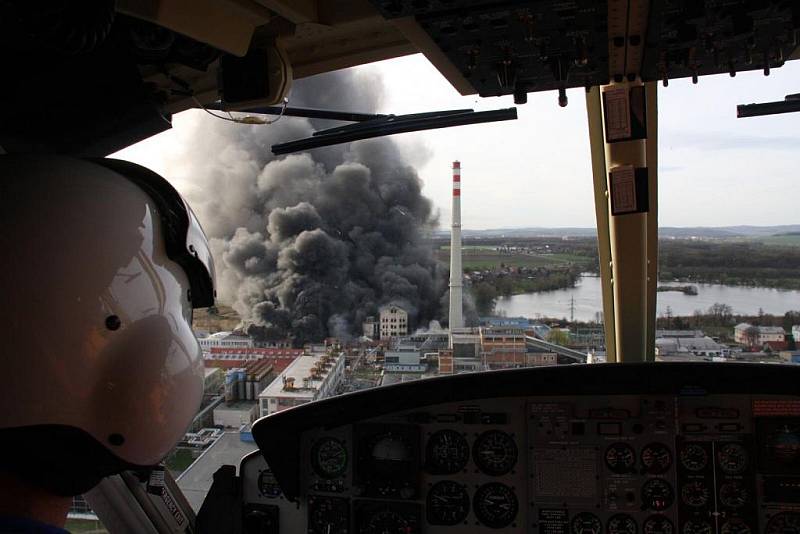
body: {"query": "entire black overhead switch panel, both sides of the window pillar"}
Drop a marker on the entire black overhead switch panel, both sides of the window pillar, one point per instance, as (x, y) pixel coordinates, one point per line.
(506, 47)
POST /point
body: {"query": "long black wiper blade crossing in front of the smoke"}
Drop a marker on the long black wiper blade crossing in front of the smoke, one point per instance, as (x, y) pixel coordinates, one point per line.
(394, 124)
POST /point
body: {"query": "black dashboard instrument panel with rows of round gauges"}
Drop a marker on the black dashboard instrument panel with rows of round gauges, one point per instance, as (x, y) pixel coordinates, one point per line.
(690, 462)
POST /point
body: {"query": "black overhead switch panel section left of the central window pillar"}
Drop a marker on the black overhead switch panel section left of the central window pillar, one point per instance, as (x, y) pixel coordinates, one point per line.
(506, 47)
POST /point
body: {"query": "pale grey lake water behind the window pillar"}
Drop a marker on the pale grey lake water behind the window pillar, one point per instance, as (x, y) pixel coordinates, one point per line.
(589, 300)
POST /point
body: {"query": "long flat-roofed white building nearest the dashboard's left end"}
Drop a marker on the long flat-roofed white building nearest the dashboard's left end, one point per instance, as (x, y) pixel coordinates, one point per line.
(309, 377)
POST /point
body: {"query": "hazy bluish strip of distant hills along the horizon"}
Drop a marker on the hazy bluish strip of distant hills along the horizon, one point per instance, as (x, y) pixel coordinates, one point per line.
(666, 231)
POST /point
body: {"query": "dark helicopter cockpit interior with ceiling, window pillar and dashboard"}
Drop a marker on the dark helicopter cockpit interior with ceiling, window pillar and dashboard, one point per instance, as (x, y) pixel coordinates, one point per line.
(626, 447)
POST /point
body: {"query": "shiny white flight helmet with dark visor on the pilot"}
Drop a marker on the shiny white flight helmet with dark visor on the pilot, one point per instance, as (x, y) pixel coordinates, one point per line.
(102, 264)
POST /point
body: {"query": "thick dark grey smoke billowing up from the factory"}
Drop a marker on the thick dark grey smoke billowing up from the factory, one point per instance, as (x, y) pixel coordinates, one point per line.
(308, 245)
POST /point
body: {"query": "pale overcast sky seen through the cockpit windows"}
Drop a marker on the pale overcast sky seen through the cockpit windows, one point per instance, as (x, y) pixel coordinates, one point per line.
(714, 169)
